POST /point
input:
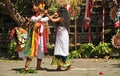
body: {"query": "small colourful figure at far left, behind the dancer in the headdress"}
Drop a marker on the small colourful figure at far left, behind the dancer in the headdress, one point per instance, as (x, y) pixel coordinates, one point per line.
(19, 35)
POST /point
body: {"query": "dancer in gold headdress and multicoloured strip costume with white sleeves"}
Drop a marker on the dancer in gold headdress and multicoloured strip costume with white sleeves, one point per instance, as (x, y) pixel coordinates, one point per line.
(36, 41)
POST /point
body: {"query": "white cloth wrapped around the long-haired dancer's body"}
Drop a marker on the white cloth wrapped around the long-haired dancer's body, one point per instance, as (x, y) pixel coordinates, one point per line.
(62, 42)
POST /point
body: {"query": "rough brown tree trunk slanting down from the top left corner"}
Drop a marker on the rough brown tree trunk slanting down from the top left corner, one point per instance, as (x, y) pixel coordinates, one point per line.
(14, 13)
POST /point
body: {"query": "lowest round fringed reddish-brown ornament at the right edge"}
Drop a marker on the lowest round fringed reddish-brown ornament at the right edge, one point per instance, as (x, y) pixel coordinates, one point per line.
(116, 40)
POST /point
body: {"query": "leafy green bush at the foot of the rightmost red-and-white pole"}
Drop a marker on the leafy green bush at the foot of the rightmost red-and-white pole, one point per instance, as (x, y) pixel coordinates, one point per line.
(103, 49)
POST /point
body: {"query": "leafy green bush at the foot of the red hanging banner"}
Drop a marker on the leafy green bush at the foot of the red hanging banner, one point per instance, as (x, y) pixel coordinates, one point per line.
(86, 49)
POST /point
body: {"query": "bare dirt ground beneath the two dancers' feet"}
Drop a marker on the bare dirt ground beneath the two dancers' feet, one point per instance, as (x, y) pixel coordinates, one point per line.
(82, 67)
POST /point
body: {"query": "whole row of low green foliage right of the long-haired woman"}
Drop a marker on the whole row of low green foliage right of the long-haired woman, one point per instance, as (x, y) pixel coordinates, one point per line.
(88, 50)
